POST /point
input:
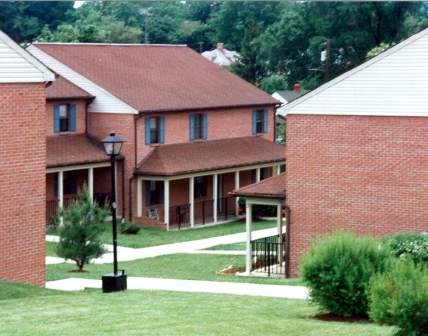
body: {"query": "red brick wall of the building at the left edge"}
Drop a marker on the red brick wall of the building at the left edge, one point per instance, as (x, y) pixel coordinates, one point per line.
(23, 183)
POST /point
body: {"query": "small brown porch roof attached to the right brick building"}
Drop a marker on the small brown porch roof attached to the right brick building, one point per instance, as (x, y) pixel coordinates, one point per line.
(272, 187)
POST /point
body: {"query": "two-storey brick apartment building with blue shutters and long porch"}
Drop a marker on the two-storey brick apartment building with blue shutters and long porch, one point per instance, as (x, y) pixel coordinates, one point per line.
(193, 131)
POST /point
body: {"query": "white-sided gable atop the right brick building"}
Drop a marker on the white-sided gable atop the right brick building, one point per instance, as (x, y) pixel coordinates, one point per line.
(393, 83)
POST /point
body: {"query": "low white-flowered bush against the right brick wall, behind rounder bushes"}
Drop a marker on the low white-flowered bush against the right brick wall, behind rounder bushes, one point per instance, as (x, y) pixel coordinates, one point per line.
(410, 245)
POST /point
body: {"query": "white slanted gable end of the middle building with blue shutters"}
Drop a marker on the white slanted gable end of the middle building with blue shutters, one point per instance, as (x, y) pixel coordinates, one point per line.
(104, 101)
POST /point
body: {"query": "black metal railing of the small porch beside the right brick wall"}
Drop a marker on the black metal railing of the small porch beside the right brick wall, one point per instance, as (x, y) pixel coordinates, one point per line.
(269, 255)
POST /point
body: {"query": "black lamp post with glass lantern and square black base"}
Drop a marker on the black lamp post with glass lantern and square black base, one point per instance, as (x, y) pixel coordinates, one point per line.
(115, 281)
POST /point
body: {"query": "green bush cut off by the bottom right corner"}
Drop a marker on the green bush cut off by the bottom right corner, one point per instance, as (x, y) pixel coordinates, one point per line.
(400, 297)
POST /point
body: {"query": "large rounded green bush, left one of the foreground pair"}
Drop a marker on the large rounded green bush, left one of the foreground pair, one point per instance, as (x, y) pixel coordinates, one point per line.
(338, 268)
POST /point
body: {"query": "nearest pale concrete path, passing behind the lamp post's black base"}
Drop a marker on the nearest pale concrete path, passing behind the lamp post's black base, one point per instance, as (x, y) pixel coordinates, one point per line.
(194, 286)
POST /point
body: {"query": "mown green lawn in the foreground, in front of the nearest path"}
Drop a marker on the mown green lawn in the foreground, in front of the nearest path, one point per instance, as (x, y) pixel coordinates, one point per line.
(132, 313)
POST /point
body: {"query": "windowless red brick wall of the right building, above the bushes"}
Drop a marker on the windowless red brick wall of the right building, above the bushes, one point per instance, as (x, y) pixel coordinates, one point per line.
(365, 174)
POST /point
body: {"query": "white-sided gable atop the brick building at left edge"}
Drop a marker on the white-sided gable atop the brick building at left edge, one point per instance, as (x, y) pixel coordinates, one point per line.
(18, 66)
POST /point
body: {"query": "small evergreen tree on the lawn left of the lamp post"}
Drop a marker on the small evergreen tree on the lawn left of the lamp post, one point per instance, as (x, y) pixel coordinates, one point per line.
(84, 221)
